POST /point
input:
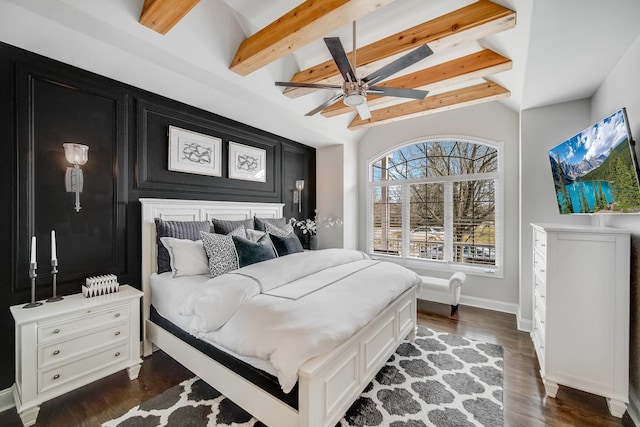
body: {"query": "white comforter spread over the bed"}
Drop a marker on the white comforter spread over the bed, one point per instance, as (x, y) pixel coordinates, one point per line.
(293, 308)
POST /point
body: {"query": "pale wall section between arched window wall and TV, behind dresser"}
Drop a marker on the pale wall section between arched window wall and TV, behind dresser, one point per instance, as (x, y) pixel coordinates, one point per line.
(541, 129)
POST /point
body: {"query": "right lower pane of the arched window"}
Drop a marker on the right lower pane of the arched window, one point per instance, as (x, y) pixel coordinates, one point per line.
(474, 222)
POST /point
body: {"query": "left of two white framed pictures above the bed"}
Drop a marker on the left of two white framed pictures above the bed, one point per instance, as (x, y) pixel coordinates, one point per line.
(194, 152)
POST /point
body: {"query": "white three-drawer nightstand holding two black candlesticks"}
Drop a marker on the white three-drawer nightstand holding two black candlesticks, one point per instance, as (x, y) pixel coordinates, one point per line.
(63, 345)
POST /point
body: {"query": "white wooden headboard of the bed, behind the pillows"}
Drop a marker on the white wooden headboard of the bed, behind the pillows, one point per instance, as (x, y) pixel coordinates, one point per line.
(187, 210)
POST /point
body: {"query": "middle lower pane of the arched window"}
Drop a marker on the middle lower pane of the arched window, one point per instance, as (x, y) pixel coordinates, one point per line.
(426, 216)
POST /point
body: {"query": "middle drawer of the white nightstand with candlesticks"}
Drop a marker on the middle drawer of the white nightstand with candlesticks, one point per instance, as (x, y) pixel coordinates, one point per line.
(60, 351)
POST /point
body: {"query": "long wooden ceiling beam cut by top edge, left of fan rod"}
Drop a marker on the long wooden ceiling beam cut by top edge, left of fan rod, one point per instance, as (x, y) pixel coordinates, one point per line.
(301, 25)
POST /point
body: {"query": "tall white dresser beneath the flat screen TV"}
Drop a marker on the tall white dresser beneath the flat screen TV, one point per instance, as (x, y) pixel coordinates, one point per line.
(581, 310)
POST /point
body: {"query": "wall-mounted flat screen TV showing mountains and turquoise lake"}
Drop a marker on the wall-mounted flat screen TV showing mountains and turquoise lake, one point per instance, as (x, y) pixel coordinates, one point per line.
(596, 171)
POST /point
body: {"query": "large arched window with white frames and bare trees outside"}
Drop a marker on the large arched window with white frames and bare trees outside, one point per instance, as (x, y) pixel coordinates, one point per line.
(438, 201)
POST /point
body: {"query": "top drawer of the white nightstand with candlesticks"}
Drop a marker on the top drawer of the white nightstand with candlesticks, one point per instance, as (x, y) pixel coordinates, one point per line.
(81, 322)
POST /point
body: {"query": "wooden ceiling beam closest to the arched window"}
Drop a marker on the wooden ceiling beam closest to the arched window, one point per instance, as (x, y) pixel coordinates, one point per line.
(459, 98)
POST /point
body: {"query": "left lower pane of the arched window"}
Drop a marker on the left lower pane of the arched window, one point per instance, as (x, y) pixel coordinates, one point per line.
(387, 220)
